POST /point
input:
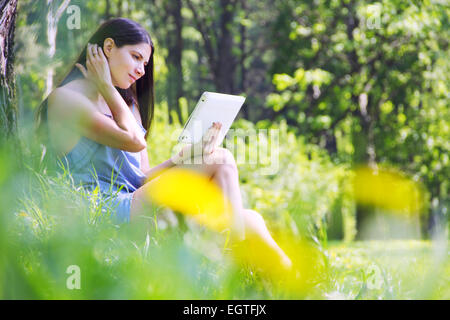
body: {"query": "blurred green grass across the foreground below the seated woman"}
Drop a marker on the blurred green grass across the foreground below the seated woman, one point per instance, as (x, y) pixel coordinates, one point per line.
(146, 261)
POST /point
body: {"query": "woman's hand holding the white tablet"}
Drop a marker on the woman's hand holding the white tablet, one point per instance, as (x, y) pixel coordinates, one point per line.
(204, 147)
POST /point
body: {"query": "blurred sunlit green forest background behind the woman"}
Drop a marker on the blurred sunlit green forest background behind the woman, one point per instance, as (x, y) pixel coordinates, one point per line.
(353, 88)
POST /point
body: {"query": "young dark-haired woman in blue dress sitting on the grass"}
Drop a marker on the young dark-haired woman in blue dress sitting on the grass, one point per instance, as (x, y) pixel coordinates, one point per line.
(98, 119)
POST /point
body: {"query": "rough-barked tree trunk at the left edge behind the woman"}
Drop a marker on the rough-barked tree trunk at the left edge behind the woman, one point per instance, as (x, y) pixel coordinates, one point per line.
(8, 108)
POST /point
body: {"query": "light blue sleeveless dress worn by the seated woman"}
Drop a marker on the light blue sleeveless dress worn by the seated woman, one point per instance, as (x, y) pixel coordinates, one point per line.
(116, 173)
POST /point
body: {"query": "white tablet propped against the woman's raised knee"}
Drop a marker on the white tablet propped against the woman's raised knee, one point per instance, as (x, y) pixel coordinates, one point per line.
(211, 107)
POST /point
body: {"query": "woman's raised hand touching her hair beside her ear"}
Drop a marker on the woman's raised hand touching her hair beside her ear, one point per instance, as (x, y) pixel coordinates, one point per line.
(97, 67)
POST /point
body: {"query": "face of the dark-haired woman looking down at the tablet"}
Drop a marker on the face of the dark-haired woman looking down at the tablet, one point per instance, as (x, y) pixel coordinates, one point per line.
(127, 62)
